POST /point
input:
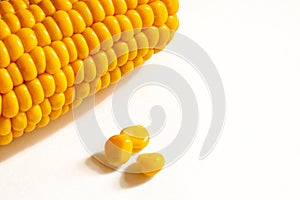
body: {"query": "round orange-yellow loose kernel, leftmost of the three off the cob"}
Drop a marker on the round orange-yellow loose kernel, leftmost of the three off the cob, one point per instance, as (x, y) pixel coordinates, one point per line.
(118, 150)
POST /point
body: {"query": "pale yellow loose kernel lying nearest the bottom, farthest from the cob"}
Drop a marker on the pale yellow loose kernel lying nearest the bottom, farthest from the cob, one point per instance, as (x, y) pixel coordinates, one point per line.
(150, 163)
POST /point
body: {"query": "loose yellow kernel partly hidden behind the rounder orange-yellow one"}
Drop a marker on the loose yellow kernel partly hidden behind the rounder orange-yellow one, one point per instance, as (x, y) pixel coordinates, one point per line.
(138, 135)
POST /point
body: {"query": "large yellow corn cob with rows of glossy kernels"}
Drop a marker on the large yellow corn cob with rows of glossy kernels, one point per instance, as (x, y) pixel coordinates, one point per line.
(55, 53)
